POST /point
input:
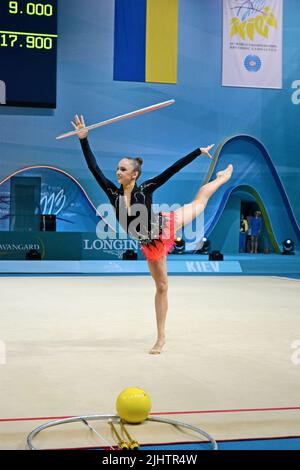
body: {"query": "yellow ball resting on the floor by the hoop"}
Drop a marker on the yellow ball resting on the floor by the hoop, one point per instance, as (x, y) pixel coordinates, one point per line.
(133, 405)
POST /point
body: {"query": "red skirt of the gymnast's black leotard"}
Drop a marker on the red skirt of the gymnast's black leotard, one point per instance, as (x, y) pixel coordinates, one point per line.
(164, 245)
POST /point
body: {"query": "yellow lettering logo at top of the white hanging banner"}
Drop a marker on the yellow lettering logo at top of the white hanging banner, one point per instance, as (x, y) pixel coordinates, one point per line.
(252, 17)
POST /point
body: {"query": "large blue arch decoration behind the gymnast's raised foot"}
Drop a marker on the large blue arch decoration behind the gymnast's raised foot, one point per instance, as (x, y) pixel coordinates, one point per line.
(255, 173)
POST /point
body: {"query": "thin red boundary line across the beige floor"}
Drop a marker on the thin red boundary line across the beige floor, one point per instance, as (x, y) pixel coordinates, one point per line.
(243, 410)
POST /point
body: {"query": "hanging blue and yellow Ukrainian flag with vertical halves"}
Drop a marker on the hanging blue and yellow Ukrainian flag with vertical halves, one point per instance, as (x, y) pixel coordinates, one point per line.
(145, 40)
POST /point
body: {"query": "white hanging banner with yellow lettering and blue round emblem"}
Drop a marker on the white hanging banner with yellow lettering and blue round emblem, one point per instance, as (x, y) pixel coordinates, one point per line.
(252, 43)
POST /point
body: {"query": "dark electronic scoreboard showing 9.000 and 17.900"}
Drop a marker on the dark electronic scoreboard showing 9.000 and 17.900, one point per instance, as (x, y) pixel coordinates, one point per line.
(28, 50)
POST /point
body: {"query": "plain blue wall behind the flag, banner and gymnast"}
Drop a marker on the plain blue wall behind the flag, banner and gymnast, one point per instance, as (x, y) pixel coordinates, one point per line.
(204, 112)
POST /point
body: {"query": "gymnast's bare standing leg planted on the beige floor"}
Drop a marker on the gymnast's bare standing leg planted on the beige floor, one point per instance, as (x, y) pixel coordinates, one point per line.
(158, 270)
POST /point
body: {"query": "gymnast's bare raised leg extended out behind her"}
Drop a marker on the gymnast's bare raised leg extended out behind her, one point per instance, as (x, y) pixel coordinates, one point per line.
(184, 215)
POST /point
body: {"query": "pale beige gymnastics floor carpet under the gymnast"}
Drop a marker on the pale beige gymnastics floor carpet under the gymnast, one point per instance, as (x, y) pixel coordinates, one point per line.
(73, 343)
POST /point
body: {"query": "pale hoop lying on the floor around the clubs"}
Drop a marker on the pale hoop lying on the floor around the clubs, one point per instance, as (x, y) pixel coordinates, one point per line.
(103, 417)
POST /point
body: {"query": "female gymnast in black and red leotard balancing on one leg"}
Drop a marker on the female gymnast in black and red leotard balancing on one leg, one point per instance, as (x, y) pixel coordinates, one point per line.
(156, 233)
